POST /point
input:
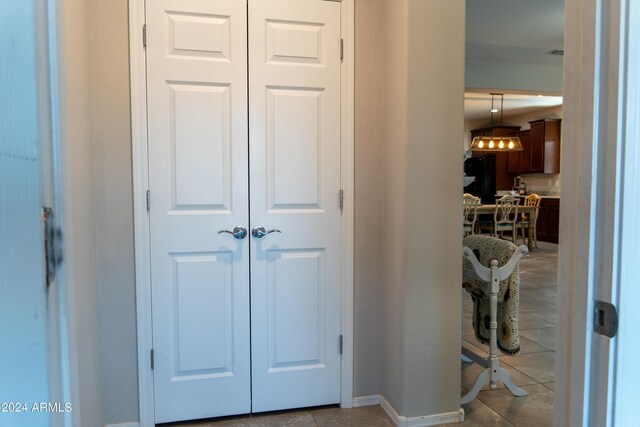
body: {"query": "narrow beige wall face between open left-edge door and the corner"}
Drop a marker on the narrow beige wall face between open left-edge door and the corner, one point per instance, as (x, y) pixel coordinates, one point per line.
(79, 214)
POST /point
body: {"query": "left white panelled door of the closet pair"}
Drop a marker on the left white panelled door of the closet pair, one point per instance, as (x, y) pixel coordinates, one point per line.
(198, 177)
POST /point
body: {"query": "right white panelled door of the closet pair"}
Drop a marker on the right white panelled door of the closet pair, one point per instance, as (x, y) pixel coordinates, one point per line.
(294, 110)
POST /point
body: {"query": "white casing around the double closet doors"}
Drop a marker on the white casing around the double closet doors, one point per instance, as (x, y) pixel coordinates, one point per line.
(141, 219)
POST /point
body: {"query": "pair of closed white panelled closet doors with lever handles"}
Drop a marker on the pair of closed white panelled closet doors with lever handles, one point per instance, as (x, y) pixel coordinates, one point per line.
(244, 131)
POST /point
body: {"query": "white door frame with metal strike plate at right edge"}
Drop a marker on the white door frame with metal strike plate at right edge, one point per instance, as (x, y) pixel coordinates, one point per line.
(596, 180)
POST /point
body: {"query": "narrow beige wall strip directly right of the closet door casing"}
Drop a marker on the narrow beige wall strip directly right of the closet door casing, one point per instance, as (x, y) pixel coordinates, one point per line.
(369, 181)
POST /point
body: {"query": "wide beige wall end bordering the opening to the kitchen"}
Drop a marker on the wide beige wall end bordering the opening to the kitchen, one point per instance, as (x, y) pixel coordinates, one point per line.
(433, 173)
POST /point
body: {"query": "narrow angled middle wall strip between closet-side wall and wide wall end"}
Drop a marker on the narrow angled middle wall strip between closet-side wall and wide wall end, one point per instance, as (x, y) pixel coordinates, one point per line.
(394, 229)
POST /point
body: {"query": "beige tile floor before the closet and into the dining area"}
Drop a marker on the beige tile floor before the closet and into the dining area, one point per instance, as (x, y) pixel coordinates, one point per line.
(532, 369)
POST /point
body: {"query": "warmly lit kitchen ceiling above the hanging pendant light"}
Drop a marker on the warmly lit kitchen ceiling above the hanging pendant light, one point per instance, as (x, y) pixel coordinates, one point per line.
(477, 105)
